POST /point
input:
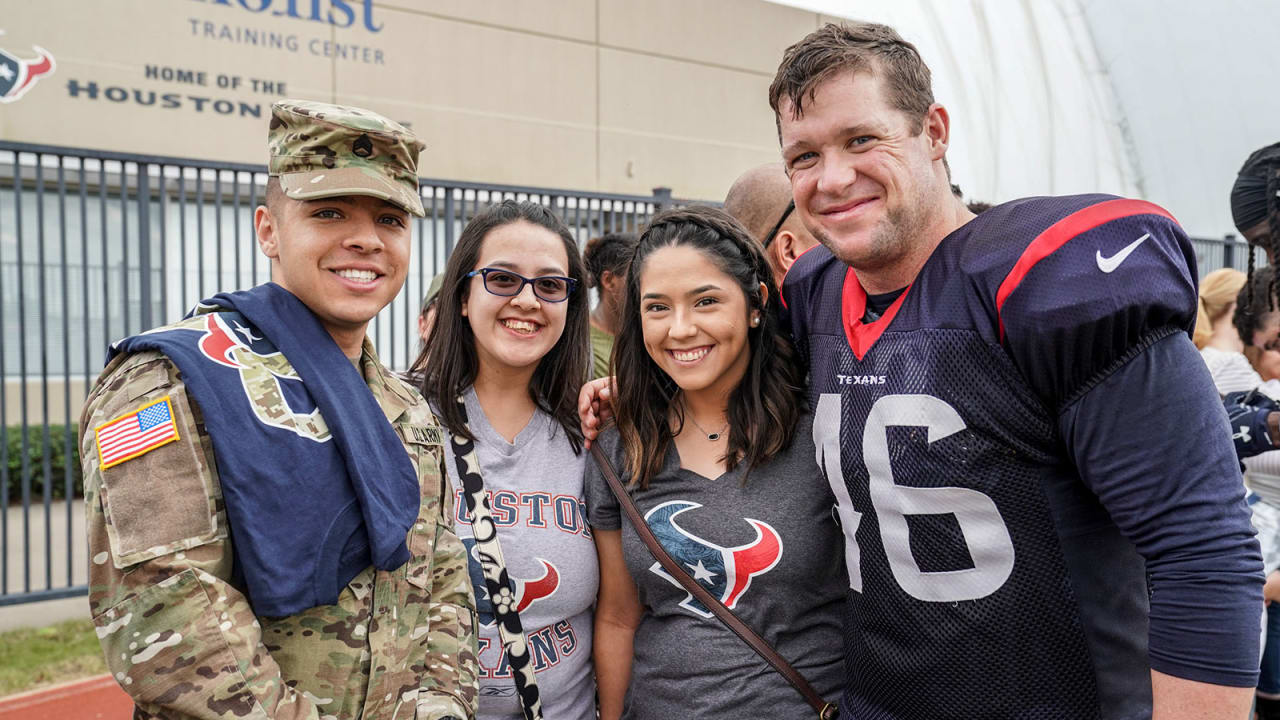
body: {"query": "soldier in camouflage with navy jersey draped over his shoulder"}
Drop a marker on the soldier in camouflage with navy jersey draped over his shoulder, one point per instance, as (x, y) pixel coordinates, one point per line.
(284, 554)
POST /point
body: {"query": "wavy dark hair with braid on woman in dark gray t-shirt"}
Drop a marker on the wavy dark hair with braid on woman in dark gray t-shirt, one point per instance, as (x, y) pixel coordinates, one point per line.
(764, 409)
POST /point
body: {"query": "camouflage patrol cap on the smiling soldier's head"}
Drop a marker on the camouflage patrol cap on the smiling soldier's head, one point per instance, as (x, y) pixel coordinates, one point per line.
(321, 151)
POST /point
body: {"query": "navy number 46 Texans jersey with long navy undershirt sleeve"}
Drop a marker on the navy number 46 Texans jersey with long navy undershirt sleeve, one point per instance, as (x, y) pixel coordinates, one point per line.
(998, 568)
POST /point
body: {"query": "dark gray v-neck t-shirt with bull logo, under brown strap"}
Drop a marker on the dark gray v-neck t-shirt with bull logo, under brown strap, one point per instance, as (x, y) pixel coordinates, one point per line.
(770, 550)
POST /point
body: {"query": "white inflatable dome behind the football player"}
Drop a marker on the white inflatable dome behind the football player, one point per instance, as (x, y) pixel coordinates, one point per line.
(1154, 101)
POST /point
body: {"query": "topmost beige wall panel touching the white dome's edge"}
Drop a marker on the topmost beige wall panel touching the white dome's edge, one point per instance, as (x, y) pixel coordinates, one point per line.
(726, 33)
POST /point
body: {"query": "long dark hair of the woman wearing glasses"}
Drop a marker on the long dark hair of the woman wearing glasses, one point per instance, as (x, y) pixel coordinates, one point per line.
(449, 364)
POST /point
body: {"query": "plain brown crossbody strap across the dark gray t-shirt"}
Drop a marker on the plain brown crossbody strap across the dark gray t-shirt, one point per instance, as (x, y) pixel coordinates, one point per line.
(826, 710)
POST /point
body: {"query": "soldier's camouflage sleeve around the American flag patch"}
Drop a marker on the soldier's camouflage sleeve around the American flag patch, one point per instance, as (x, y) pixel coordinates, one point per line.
(177, 636)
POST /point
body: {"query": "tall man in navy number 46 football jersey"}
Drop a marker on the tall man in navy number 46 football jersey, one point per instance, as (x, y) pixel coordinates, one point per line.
(1041, 502)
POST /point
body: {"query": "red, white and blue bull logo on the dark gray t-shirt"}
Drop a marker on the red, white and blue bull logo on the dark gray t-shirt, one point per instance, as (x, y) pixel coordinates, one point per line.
(725, 572)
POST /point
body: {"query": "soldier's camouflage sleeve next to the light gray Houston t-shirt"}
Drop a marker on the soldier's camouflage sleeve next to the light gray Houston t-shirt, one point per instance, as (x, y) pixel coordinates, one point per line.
(451, 682)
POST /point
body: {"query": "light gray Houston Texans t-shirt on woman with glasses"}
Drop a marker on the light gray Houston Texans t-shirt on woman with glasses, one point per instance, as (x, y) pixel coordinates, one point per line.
(536, 491)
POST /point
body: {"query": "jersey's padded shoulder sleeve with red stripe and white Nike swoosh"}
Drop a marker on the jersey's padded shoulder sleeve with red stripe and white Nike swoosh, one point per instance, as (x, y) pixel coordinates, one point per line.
(1094, 286)
